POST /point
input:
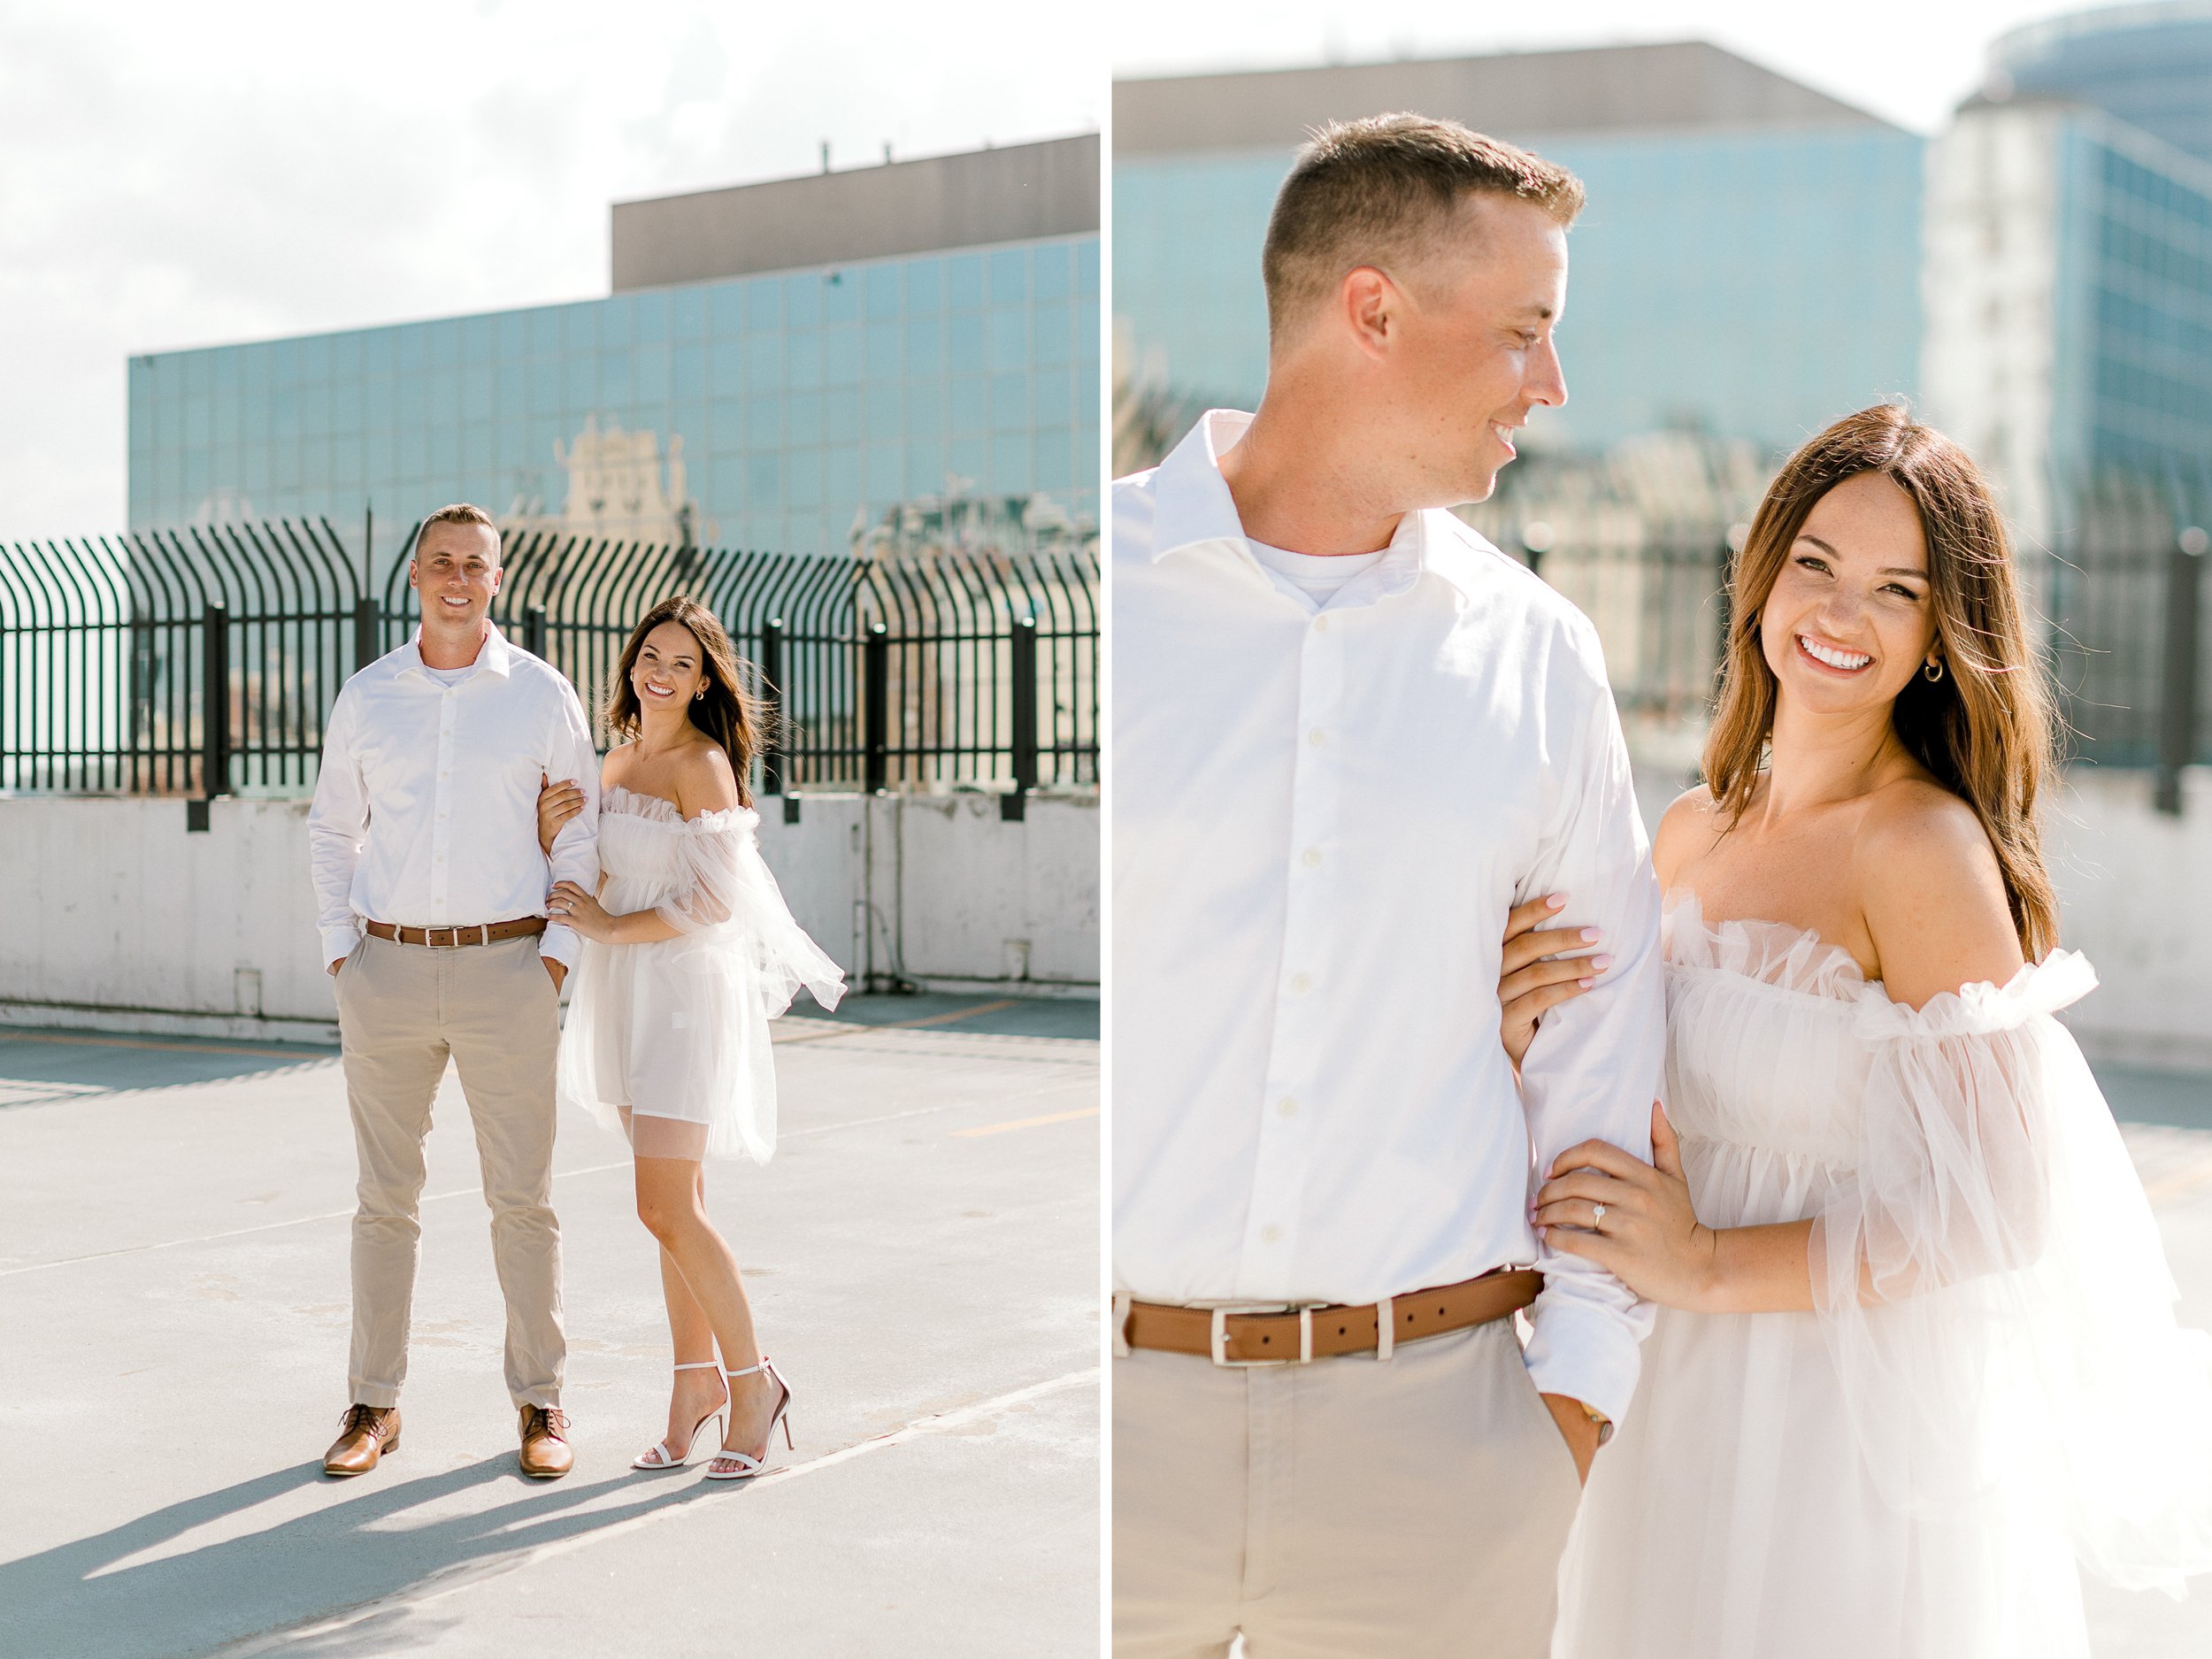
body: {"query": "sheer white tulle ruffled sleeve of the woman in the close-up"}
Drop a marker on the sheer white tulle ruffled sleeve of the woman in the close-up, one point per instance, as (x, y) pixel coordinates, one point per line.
(1994, 1291)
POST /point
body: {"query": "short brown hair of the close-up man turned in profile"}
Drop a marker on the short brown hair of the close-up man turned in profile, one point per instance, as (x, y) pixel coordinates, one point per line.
(1379, 191)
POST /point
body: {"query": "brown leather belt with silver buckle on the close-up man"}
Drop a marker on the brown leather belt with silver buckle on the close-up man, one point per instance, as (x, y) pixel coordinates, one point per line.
(1286, 1333)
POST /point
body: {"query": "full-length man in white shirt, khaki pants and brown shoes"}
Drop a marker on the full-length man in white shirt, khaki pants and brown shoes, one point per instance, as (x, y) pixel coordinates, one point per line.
(432, 901)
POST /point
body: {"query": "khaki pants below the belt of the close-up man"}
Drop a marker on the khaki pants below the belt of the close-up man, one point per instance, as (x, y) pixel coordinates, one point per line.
(1342, 1510)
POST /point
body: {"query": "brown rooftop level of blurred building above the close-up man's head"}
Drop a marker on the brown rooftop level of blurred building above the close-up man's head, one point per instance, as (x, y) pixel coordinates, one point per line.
(1596, 90)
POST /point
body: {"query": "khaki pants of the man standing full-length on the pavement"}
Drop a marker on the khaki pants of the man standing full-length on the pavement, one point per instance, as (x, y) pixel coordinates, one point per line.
(404, 1010)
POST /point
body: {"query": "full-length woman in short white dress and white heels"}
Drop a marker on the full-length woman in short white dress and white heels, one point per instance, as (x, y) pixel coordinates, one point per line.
(689, 957)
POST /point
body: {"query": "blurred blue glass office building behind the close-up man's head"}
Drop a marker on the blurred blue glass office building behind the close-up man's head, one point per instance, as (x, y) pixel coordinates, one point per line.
(1751, 278)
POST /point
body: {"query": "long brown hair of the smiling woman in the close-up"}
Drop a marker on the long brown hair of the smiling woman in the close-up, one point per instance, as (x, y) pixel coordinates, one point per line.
(1985, 729)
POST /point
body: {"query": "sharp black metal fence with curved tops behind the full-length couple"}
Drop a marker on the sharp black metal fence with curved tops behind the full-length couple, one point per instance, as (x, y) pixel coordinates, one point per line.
(912, 674)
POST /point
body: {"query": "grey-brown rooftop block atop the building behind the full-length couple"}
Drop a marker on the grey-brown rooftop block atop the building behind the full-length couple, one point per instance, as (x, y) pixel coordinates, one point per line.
(968, 200)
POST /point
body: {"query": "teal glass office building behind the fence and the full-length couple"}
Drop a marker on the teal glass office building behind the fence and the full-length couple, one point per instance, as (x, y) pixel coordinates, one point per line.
(782, 410)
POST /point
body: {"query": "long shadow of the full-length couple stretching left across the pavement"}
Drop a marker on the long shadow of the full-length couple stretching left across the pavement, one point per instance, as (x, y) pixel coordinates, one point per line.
(74, 1603)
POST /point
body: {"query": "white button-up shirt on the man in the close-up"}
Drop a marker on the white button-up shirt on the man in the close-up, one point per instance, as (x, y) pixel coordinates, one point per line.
(1322, 820)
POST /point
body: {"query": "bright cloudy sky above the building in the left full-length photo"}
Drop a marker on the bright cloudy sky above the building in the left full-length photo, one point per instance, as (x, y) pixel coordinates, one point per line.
(182, 176)
